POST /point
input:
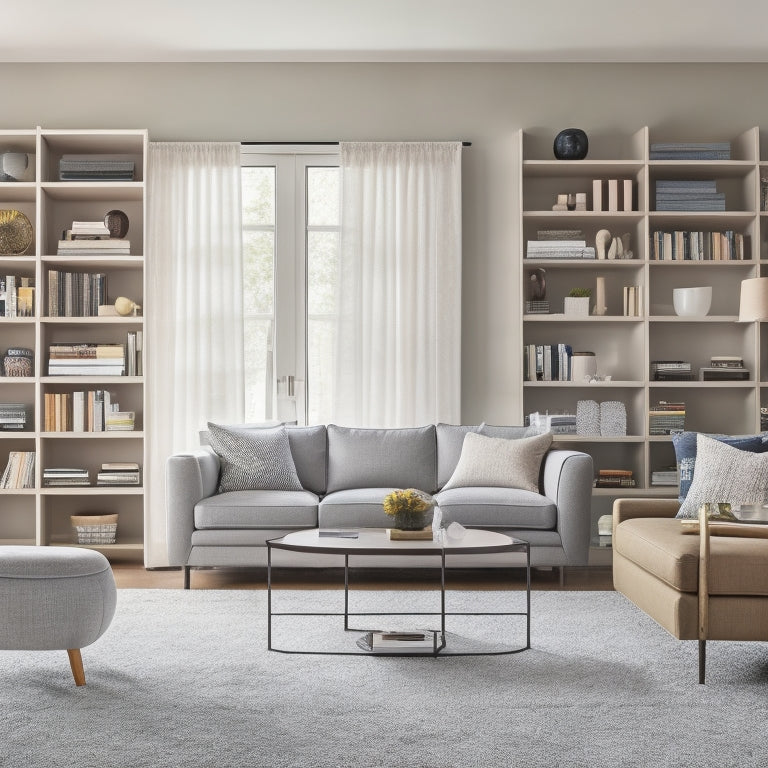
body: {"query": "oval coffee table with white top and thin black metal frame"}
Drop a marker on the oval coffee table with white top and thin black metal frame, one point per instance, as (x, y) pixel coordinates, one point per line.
(375, 542)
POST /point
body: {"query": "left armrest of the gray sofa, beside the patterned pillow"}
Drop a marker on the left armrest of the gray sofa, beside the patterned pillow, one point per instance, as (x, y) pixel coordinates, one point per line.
(189, 477)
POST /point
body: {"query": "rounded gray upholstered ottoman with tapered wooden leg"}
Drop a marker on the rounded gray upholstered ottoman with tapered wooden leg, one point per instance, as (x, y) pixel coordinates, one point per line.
(54, 598)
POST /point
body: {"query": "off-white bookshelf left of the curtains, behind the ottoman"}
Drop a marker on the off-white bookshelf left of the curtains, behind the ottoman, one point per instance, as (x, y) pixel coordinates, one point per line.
(40, 515)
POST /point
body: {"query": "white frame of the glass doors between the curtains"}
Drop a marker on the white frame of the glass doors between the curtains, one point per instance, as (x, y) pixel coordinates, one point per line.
(289, 337)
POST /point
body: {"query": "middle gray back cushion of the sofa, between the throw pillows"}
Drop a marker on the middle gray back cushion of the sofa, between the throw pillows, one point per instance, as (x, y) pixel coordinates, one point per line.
(379, 458)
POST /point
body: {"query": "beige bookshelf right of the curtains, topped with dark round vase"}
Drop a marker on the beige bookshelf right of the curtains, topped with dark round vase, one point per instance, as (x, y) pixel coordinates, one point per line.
(625, 346)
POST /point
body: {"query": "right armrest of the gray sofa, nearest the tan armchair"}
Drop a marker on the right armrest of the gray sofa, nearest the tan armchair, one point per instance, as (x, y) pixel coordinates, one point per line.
(568, 482)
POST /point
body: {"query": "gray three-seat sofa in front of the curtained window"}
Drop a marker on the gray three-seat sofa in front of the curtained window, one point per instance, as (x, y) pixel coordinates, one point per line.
(345, 473)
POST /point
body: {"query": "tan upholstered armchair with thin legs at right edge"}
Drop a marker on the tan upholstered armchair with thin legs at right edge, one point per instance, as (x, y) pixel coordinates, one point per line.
(696, 587)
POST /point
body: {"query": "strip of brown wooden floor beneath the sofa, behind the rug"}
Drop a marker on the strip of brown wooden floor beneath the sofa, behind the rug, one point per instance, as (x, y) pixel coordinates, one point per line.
(130, 575)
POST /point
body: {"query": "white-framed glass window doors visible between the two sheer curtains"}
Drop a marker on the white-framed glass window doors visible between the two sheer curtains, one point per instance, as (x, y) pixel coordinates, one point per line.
(291, 216)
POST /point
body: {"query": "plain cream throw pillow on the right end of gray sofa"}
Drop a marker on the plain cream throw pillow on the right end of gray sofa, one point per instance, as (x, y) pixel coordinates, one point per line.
(495, 461)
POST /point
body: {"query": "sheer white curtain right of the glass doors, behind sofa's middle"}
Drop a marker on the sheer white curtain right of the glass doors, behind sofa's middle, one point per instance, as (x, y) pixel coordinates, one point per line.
(398, 336)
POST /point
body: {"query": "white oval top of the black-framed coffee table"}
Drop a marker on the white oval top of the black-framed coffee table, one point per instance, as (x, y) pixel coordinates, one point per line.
(372, 541)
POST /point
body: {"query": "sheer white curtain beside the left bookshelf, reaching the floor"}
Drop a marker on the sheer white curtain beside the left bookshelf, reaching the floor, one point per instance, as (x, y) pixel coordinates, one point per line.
(194, 305)
